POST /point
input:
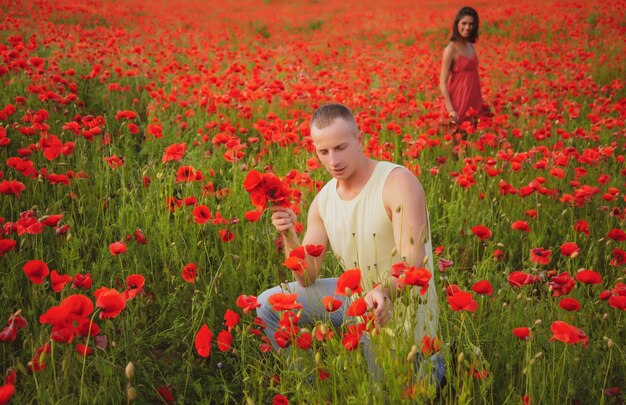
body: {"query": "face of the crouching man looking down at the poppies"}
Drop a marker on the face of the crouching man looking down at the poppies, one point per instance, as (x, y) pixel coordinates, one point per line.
(338, 148)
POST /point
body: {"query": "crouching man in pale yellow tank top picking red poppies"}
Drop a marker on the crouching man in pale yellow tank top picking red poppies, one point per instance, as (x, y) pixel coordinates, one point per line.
(373, 215)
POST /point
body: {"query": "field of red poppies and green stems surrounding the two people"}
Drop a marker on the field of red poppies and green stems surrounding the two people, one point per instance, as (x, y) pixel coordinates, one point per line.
(142, 142)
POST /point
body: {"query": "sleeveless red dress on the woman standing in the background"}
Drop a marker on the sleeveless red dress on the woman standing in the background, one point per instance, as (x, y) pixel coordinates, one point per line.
(464, 87)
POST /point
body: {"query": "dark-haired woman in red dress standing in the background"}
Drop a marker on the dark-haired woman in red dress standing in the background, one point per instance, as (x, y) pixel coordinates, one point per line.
(459, 82)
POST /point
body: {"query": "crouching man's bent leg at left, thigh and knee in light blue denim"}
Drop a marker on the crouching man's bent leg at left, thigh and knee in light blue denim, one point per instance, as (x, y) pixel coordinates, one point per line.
(312, 307)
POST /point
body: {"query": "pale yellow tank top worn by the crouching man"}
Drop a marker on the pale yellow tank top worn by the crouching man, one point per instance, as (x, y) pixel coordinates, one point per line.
(361, 235)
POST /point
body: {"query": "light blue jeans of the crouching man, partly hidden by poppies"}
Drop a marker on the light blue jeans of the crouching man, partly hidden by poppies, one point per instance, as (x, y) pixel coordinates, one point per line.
(313, 311)
